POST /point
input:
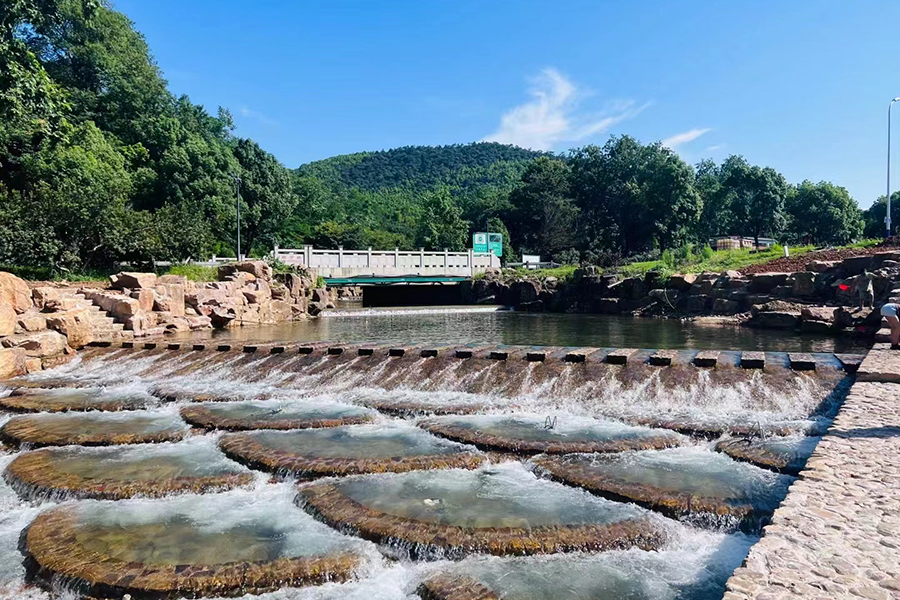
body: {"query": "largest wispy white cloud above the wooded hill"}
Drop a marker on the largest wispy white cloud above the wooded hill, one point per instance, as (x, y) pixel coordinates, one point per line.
(551, 117)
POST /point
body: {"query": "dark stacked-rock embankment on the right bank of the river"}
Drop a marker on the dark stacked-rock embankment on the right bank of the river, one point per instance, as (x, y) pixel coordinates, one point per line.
(819, 299)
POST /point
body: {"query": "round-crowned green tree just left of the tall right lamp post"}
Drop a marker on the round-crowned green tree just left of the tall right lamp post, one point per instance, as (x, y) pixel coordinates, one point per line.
(822, 213)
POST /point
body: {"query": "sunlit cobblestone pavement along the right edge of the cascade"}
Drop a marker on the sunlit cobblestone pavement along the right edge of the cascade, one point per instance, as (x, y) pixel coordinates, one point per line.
(837, 534)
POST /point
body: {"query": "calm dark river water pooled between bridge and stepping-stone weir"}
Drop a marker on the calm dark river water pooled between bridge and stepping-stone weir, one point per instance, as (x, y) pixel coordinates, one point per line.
(463, 325)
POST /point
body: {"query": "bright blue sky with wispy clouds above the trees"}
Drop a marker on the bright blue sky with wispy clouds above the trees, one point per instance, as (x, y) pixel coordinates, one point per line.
(800, 86)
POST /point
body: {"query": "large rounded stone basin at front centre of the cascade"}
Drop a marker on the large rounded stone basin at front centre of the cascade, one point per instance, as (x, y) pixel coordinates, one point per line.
(503, 510)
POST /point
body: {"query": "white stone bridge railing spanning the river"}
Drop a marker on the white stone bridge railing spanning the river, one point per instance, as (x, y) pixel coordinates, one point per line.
(350, 263)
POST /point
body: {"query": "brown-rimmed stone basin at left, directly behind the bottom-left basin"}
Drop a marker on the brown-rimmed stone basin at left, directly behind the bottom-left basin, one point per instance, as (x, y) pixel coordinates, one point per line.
(123, 472)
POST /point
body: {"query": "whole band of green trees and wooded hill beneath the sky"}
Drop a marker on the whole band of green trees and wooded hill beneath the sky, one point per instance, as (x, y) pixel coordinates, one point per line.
(100, 162)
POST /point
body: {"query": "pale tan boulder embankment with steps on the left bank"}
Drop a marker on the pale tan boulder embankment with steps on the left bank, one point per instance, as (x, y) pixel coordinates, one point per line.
(41, 327)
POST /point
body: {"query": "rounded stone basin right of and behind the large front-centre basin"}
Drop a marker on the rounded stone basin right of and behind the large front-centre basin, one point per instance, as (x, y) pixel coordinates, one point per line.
(675, 482)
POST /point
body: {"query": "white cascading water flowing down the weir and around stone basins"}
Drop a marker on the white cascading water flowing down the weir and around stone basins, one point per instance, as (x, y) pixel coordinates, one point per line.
(260, 521)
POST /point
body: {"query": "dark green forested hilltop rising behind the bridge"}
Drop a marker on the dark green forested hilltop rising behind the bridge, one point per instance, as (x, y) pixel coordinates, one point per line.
(419, 167)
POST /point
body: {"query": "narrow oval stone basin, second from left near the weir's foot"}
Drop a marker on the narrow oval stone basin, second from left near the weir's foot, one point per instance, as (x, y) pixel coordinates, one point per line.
(272, 414)
